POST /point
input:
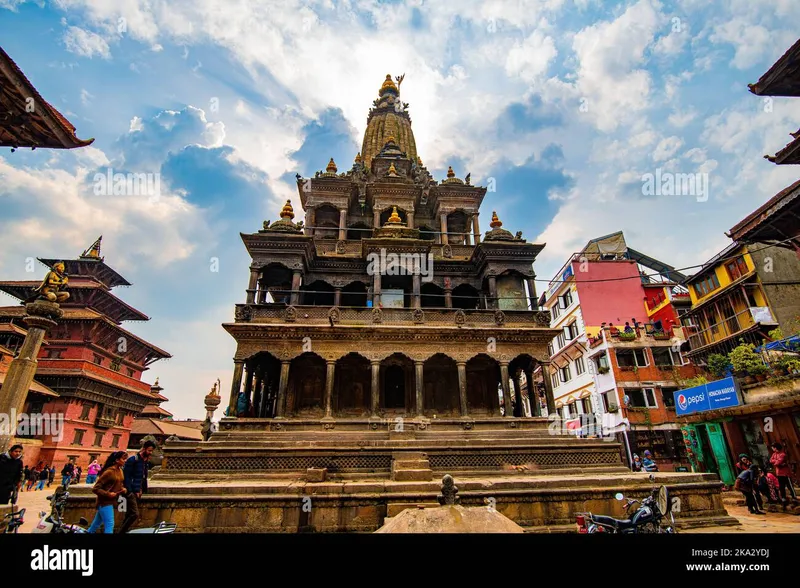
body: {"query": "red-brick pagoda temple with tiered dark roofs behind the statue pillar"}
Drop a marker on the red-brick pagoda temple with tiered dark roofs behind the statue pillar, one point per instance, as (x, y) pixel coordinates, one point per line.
(89, 363)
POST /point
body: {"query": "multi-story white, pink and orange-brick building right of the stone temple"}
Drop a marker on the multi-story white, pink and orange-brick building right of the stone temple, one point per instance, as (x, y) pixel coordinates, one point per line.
(618, 356)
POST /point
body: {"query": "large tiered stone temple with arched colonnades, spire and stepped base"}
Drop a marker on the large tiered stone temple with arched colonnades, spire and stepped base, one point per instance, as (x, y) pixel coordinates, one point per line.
(382, 344)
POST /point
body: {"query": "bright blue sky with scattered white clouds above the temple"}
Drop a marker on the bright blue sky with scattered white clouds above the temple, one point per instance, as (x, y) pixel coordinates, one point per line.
(566, 104)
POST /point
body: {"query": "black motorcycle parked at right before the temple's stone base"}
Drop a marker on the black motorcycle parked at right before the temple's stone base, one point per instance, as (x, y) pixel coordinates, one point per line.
(652, 515)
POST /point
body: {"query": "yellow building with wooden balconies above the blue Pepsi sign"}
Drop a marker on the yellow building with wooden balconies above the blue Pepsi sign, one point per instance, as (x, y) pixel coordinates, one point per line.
(729, 302)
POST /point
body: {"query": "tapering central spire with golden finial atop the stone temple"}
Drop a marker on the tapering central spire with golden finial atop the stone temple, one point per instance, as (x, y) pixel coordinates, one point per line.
(388, 118)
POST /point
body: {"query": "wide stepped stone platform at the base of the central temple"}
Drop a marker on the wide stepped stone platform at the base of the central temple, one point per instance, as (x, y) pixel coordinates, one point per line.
(253, 475)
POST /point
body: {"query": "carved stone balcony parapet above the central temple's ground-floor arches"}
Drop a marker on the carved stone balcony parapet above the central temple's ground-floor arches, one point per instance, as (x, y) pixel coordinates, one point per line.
(279, 314)
